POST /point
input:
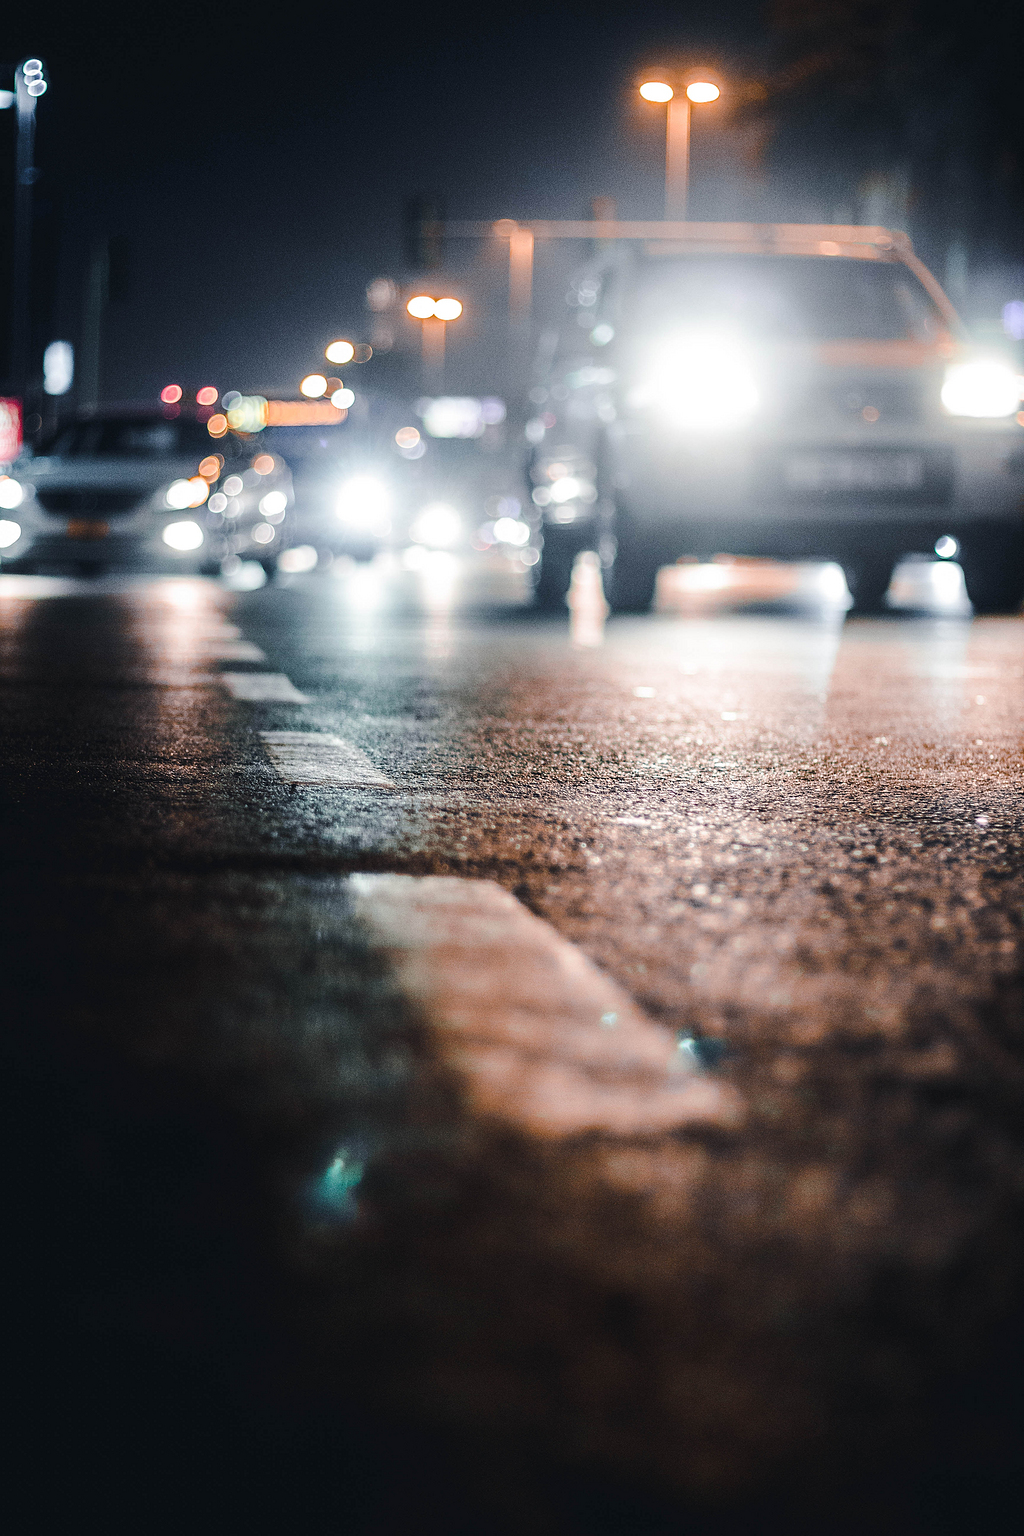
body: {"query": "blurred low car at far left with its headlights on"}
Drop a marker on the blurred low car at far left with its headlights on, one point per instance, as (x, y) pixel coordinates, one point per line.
(144, 492)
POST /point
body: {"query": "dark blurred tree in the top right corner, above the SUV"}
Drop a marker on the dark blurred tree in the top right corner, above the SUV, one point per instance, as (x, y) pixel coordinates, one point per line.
(910, 107)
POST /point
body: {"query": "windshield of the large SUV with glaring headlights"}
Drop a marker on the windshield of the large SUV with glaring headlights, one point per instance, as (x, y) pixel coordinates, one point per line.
(785, 299)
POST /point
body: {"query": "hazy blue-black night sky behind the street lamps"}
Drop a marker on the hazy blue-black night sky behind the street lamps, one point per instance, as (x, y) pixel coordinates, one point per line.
(253, 165)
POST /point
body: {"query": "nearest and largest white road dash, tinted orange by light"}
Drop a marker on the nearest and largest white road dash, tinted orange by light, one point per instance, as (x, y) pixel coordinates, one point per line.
(533, 1033)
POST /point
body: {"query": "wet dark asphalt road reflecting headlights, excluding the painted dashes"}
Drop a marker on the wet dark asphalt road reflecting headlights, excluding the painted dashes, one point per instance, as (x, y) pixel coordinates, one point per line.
(274, 1268)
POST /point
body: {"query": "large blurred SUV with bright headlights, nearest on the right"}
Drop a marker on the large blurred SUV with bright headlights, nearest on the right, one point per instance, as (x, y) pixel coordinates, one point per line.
(790, 391)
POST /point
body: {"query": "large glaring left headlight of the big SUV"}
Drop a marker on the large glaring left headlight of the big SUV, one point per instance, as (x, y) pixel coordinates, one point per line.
(699, 383)
